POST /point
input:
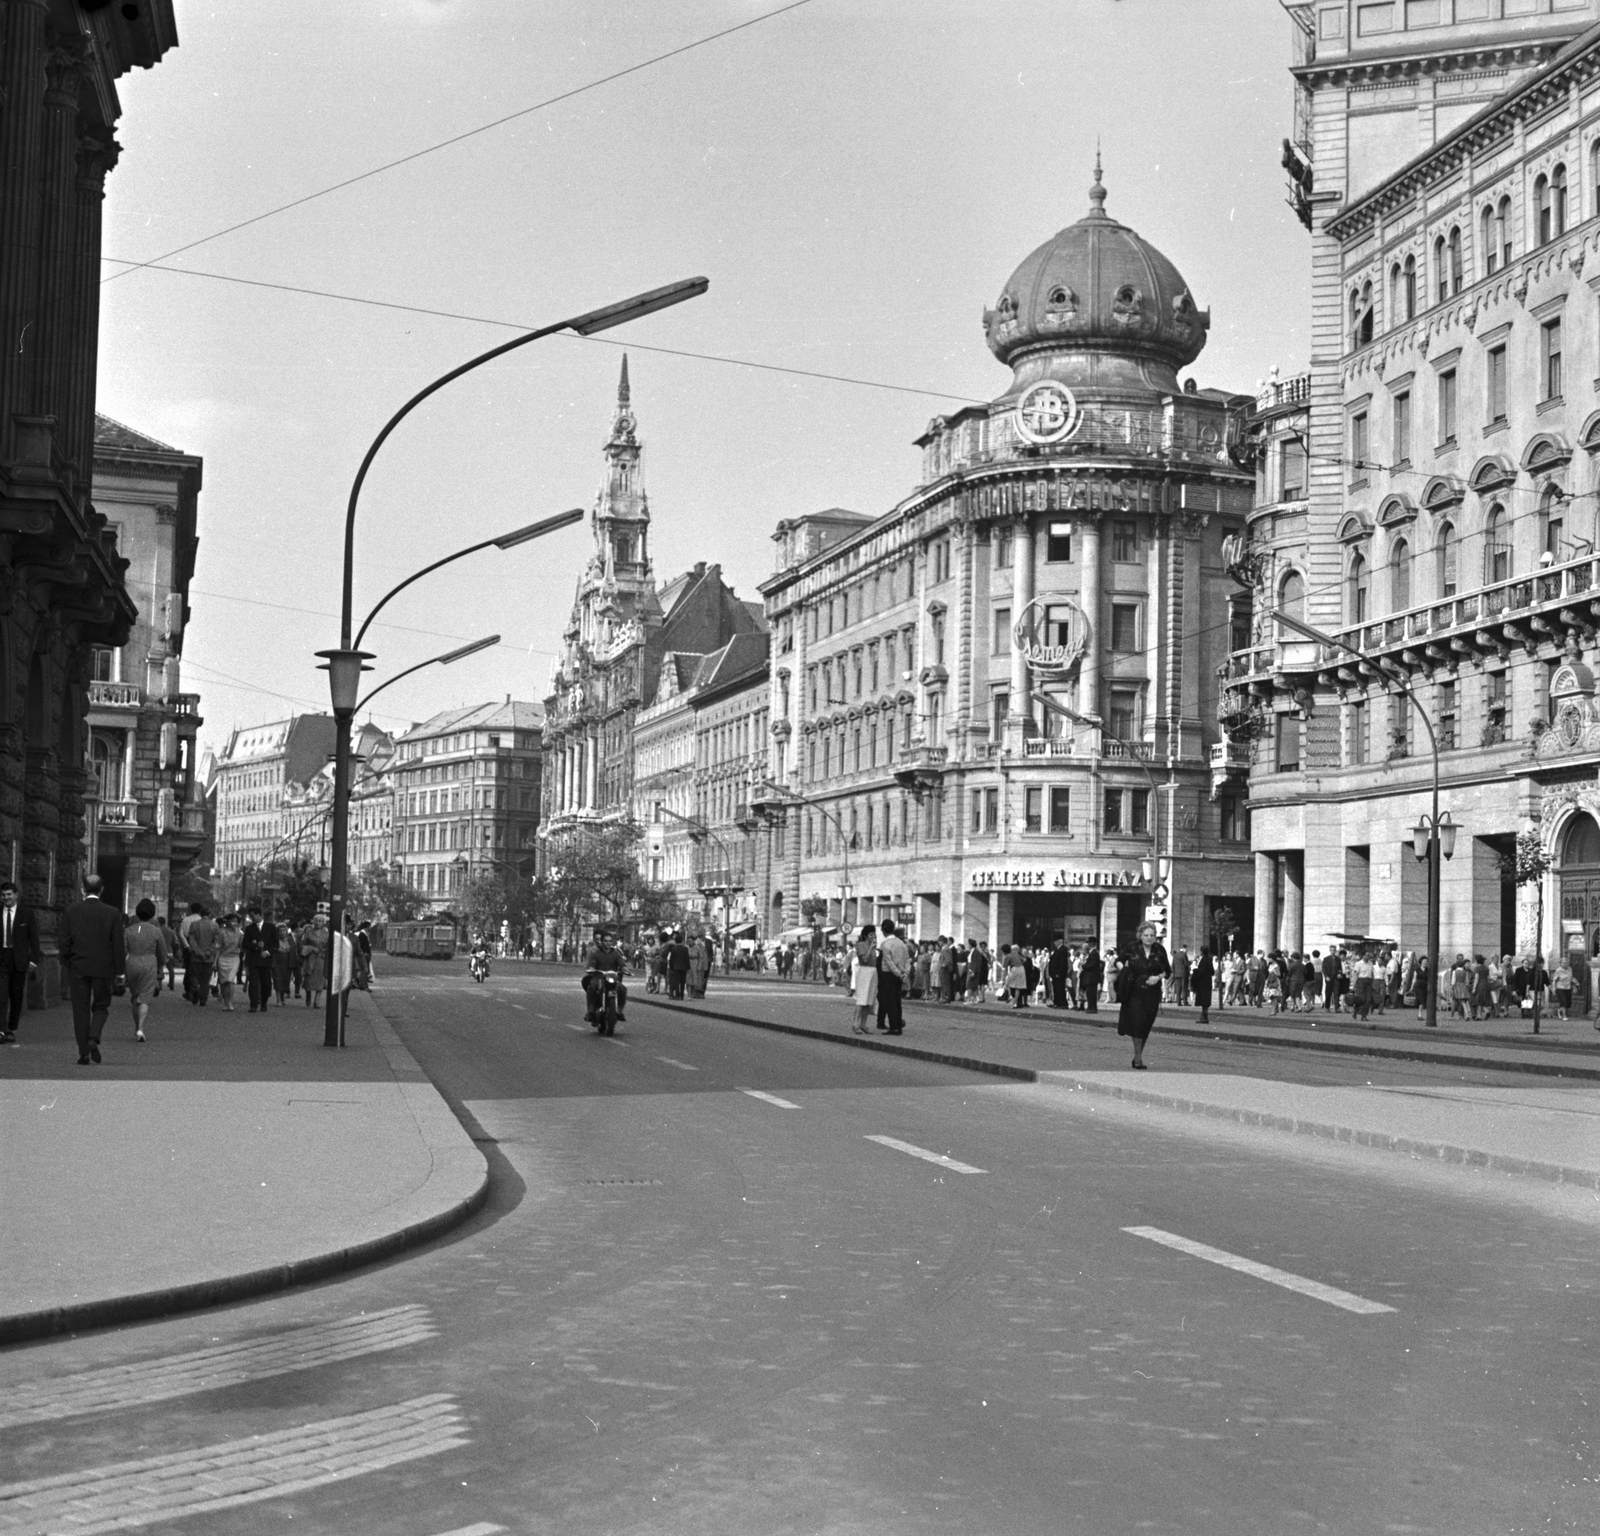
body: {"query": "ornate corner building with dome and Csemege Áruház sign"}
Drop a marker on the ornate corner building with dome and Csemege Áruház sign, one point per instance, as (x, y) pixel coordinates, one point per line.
(994, 708)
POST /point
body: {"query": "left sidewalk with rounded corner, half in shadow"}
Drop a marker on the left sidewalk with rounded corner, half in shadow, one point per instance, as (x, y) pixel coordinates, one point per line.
(230, 1156)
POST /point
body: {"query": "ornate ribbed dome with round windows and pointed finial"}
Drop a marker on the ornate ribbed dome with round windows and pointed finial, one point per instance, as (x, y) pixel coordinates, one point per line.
(1097, 287)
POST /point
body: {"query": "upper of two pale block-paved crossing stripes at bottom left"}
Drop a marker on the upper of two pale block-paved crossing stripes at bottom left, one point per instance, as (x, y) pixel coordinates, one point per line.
(214, 1369)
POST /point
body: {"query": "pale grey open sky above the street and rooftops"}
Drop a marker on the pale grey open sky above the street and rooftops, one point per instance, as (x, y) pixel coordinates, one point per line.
(857, 180)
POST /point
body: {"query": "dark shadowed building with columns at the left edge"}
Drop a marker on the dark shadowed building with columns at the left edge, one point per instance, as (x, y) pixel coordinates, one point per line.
(63, 591)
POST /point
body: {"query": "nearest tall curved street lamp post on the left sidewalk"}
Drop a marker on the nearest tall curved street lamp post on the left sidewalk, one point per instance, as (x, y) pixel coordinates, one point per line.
(346, 663)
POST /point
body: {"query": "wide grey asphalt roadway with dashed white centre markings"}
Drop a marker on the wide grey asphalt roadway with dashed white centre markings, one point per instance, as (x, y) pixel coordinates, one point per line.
(742, 1282)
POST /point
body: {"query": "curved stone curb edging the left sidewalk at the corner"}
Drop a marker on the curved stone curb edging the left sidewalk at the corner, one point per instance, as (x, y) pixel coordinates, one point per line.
(457, 1186)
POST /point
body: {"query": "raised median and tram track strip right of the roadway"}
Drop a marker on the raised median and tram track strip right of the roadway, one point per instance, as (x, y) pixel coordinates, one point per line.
(1548, 1130)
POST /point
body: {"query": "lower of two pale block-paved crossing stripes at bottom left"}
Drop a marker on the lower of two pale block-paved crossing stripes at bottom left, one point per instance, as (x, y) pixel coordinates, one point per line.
(209, 1478)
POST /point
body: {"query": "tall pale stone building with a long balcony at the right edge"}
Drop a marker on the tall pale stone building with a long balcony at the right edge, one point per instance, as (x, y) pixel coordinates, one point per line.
(1428, 494)
